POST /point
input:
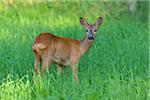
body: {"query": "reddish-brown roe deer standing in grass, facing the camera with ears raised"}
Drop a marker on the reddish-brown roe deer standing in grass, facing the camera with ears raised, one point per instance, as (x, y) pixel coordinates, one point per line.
(49, 49)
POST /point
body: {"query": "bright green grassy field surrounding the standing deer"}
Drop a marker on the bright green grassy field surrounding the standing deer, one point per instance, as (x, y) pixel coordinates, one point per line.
(115, 68)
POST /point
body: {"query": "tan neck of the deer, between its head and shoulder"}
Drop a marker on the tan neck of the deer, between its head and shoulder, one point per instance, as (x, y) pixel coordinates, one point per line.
(85, 44)
